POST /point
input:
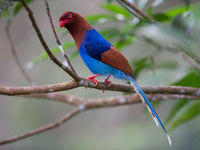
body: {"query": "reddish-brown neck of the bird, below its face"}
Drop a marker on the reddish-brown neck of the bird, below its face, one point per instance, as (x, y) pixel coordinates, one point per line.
(78, 32)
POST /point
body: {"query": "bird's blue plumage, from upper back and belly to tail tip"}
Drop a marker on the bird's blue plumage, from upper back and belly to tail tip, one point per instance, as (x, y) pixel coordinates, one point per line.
(91, 49)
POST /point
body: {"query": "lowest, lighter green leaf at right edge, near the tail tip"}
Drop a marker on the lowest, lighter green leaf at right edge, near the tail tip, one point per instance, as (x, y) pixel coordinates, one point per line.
(190, 111)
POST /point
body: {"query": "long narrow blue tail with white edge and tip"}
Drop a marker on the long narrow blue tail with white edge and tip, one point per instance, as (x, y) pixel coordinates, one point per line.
(149, 106)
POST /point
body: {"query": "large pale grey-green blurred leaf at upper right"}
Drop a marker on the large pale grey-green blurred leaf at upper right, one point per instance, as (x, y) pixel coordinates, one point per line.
(168, 37)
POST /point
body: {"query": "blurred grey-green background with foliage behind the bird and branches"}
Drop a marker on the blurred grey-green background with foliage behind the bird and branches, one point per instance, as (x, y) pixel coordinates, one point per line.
(151, 50)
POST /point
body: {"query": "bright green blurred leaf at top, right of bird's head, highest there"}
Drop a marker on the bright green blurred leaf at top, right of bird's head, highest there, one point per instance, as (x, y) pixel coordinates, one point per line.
(116, 9)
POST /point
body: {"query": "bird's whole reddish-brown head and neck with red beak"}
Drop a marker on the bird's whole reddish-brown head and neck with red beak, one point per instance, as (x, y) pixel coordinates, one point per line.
(76, 25)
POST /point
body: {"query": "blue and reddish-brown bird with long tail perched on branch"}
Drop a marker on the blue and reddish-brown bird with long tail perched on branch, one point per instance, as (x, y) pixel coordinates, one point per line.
(102, 58)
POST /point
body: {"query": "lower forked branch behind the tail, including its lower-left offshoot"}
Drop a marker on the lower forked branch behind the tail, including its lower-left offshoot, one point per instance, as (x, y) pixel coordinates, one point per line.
(85, 104)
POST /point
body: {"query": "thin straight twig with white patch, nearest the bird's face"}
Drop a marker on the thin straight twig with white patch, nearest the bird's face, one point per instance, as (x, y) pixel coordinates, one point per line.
(56, 37)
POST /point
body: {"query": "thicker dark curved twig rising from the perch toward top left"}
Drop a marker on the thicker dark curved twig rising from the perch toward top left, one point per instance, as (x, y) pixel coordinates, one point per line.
(45, 46)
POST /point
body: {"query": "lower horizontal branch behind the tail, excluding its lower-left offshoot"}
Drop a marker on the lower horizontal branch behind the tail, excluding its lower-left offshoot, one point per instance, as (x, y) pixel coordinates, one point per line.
(109, 101)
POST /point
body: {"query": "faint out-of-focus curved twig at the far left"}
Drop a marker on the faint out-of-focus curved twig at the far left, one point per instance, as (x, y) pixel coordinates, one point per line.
(14, 53)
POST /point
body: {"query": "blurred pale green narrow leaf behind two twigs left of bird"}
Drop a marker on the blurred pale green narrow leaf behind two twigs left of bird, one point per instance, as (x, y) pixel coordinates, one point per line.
(55, 50)
